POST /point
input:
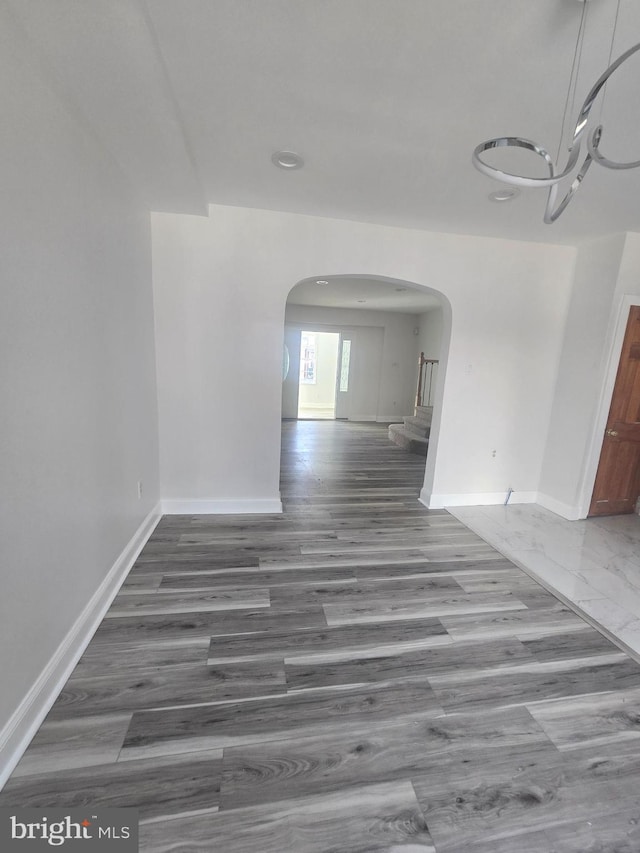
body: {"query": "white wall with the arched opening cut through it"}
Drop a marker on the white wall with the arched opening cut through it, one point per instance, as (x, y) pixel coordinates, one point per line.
(220, 290)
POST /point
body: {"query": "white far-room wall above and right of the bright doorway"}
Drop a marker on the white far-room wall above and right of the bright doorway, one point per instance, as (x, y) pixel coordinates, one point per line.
(382, 380)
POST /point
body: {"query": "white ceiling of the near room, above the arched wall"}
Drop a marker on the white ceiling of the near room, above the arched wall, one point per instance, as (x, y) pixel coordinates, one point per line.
(384, 99)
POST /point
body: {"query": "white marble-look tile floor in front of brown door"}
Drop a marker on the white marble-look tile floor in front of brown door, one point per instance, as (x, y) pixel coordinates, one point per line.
(594, 565)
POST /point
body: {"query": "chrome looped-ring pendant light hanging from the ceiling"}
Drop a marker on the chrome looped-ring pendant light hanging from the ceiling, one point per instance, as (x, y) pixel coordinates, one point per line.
(593, 138)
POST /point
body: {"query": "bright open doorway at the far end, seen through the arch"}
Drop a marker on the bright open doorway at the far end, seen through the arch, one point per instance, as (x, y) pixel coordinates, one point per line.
(318, 376)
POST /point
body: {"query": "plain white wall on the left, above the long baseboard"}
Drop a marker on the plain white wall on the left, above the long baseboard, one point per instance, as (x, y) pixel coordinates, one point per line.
(77, 383)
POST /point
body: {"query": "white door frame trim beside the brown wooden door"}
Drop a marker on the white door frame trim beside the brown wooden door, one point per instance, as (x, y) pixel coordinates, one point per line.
(616, 338)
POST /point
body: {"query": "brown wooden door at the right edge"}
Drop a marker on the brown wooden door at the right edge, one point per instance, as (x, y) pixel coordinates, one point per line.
(617, 483)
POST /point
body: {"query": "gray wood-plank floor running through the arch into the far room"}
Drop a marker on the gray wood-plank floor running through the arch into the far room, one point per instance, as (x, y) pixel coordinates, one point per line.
(359, 674)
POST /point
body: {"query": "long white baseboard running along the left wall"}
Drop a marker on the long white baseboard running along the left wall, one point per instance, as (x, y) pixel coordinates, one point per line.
(28, 716)
